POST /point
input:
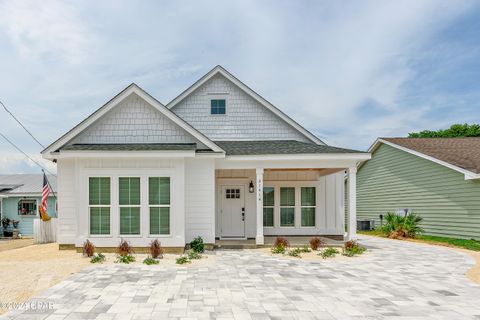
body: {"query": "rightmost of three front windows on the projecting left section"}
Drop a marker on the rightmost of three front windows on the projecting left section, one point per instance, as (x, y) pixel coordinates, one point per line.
(159, 204)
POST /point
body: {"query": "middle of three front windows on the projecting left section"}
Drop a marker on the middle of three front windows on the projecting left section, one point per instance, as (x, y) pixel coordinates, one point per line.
(129, 201)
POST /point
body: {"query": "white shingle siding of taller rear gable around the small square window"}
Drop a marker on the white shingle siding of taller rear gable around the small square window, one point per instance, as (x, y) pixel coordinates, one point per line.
(245, 118)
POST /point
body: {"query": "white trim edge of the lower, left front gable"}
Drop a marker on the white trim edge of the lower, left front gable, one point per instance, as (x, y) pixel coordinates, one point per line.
(132, 88)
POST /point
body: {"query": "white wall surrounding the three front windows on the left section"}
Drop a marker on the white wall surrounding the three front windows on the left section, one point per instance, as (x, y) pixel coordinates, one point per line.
(73, 199)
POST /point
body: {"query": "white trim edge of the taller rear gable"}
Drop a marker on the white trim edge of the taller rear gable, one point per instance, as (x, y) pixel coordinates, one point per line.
(220, 70)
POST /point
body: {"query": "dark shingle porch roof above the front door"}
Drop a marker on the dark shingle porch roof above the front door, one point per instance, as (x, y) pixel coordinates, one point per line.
(267, 147)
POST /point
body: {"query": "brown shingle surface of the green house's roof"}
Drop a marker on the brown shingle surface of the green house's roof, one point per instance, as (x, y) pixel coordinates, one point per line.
(461, 152)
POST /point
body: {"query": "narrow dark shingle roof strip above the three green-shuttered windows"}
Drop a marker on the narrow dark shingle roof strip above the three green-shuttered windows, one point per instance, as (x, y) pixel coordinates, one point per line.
(133, 147)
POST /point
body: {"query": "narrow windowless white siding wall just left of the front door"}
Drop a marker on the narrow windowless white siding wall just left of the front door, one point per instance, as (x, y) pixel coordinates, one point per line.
(200, 199)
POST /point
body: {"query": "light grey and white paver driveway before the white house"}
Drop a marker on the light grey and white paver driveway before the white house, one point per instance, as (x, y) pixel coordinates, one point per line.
(395, 280)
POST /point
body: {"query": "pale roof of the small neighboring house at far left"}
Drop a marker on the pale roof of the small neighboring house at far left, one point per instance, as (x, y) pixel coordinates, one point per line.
(23, 184)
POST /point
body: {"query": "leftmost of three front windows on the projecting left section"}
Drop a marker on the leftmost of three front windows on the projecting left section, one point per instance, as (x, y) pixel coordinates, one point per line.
(99, 205)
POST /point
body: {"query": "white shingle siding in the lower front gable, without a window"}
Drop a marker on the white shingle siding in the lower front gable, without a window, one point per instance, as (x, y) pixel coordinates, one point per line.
(134, 121)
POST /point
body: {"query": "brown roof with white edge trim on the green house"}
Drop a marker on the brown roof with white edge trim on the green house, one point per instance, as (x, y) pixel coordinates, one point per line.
(459, 154)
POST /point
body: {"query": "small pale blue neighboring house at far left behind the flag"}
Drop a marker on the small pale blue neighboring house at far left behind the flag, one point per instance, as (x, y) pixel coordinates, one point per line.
(20, 198)
